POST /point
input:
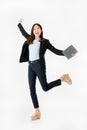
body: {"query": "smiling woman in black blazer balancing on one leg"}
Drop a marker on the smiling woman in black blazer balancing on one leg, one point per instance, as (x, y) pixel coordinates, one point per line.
(33, 51)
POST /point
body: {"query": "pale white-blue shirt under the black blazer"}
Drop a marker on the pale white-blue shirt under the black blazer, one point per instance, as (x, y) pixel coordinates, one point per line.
(34, 50)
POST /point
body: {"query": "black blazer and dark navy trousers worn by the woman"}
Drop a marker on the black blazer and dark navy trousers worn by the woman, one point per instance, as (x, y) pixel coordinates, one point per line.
(37, 69)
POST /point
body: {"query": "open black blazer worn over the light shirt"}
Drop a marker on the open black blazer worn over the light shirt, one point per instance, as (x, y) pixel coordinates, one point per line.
(45, 44)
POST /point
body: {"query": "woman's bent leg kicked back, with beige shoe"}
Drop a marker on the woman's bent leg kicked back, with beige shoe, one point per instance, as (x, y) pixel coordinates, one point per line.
(42, 78)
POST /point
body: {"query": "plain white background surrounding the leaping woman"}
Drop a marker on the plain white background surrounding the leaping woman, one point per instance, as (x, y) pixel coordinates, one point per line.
(64, 23)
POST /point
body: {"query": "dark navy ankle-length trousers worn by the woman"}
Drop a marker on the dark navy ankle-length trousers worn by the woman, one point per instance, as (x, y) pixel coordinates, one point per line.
(34, 71)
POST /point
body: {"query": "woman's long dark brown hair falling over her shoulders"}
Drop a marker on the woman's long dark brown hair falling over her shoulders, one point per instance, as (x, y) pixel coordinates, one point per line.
(32, 36)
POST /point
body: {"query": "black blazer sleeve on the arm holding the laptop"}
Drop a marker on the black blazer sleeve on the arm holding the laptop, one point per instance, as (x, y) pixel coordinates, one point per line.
(54, 50)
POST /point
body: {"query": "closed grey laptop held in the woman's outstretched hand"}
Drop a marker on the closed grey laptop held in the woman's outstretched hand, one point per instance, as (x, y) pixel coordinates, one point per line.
(69, 51)
